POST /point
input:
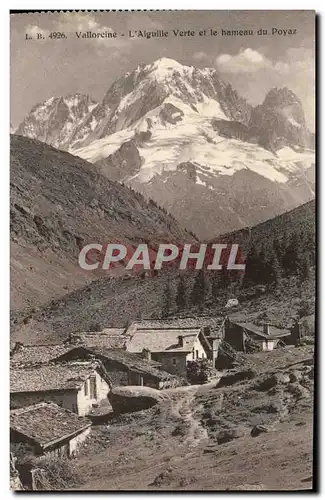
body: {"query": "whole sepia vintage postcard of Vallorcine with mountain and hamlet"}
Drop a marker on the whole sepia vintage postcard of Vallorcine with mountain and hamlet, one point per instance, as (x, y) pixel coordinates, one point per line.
(162, 251)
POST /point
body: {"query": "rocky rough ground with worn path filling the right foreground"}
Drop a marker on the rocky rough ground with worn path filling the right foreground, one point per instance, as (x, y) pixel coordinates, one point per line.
(174, 445)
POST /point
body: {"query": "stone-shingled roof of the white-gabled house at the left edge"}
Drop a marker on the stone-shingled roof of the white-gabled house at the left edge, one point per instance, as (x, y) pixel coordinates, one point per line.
(51, 377)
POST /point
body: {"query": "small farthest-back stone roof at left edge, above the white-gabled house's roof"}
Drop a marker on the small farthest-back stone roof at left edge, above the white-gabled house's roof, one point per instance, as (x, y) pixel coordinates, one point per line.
(27, 354)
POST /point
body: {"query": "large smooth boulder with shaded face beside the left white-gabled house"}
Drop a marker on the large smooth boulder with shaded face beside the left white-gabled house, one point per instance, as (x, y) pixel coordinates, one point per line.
(129, 399)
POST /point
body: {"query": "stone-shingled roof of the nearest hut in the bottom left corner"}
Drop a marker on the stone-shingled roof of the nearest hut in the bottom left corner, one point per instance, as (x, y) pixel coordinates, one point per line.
(46, 423)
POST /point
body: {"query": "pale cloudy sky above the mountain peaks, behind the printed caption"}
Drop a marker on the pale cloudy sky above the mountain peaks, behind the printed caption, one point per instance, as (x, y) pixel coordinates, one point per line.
(253, 64)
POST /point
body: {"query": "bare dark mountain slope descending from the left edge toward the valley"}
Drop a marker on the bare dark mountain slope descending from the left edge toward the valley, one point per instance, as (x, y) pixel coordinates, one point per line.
(60, 203)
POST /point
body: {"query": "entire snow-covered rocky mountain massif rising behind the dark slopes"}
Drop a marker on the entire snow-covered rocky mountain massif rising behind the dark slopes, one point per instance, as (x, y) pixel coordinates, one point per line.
(186, 139)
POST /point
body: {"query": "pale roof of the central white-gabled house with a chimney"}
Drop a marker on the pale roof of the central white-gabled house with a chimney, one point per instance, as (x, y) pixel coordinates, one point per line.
(163, 339)
